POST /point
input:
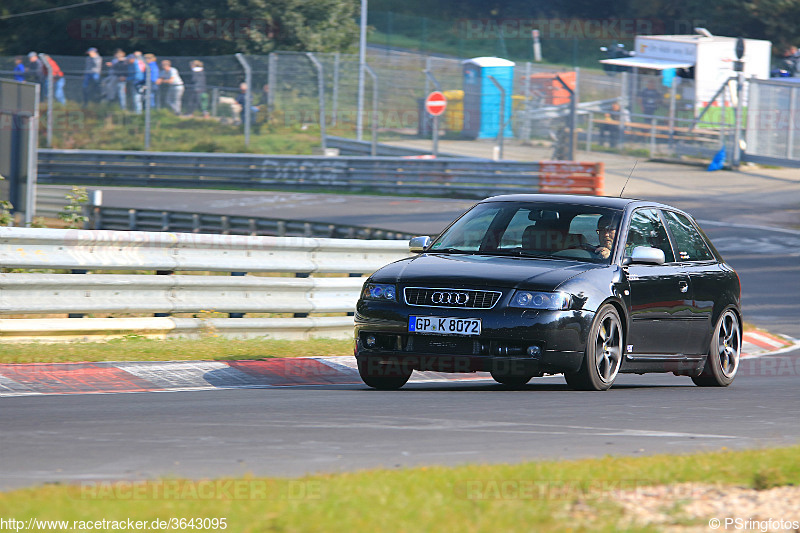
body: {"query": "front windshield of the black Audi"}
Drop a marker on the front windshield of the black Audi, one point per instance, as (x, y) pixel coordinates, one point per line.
(533, 229)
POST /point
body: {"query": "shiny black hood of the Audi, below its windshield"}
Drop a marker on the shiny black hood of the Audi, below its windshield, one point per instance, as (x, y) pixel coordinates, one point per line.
(482, 271)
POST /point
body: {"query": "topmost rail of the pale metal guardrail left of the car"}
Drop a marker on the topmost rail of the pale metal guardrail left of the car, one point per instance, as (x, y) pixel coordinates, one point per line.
(29, 248)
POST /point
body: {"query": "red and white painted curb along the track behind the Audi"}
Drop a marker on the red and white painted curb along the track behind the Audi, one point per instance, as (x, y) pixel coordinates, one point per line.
(172, 376)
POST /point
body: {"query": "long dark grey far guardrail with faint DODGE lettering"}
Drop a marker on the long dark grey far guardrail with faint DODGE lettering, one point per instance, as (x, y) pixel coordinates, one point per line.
(470, 178)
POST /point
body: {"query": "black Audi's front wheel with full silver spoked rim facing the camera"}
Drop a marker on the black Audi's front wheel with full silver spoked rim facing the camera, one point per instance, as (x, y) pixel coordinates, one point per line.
(603, 356)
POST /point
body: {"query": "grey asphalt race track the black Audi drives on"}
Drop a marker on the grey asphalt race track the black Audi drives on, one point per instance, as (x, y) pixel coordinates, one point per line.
(296, 430)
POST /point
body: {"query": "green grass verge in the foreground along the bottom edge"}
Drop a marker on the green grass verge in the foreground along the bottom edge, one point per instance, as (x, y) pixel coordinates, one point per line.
(533, 496)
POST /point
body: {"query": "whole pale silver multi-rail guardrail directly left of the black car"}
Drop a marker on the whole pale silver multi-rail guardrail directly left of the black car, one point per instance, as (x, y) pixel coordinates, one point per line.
(24, 293)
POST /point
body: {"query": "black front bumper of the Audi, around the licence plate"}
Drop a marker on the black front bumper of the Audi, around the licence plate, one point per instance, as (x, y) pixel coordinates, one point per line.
(511, 340)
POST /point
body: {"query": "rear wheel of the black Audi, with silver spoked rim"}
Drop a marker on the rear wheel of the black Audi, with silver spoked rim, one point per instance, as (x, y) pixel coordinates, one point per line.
(724, 352)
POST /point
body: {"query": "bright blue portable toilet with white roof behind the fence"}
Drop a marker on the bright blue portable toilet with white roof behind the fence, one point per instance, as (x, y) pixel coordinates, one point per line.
(482, 97)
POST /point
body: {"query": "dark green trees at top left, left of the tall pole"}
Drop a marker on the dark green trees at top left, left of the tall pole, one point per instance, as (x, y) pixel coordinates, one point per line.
(181, 27)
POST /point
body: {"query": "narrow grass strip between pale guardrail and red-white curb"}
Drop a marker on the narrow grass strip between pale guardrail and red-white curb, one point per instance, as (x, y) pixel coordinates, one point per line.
(141, 349)
